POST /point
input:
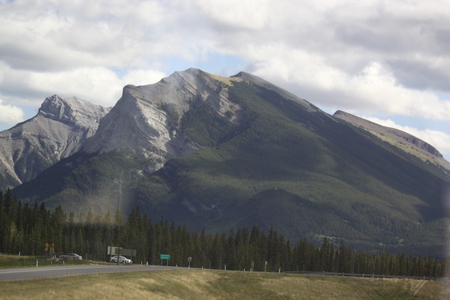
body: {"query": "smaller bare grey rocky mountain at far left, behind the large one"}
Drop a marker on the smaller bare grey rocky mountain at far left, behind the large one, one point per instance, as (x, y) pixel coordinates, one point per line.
(56, 132)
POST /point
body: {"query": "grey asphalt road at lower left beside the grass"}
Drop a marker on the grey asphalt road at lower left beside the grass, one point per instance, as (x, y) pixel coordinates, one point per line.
(67, 271)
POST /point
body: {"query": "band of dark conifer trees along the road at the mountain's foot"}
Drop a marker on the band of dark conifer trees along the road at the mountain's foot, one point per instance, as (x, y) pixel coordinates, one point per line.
(26, 229)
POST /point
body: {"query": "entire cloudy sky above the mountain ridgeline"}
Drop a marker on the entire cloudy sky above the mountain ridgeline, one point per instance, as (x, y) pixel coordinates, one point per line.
(387, 61)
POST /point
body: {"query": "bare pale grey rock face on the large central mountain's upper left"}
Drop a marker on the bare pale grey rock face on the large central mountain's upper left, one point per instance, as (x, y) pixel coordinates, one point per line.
(147, 120)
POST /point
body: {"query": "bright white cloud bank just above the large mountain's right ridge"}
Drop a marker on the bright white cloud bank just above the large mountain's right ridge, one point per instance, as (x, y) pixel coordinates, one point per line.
(374, 89)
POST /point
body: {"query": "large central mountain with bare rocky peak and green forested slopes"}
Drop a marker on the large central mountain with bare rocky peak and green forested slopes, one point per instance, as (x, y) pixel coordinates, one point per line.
(221, 153)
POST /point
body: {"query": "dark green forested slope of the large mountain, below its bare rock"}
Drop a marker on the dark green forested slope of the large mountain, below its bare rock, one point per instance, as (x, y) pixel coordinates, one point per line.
(306, 173)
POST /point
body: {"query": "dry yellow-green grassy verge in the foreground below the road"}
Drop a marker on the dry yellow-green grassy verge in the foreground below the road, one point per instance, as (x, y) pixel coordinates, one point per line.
(208, 284)
